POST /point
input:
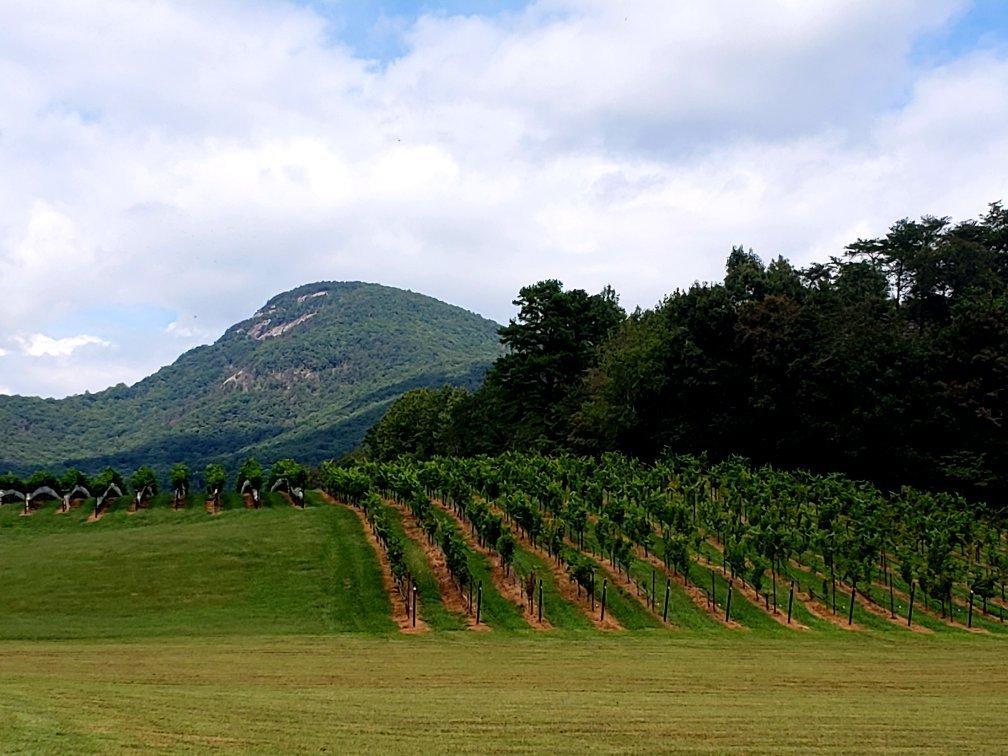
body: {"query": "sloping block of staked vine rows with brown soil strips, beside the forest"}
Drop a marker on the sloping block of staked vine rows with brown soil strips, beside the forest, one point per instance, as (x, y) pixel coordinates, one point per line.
(681, 545)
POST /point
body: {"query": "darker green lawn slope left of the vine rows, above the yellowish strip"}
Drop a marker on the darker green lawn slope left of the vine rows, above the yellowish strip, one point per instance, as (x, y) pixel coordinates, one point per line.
(161, 573)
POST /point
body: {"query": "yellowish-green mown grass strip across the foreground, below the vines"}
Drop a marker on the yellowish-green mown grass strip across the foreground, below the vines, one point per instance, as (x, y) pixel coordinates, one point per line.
(472, 692)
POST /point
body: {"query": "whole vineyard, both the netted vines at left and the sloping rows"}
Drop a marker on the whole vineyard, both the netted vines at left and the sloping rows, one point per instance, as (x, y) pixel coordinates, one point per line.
(527, 543)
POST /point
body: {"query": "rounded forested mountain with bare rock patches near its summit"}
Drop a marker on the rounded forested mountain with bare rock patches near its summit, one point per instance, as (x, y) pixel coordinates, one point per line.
(306, 376)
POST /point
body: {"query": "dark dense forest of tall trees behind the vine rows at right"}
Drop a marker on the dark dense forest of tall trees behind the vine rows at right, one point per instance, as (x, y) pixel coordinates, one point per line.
(889, 363)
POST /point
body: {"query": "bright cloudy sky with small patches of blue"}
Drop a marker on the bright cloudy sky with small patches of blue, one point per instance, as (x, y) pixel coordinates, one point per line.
(166, 168)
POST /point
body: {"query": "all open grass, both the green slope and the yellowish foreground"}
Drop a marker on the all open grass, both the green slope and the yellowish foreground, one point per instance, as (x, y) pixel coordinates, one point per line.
(269, 631)
